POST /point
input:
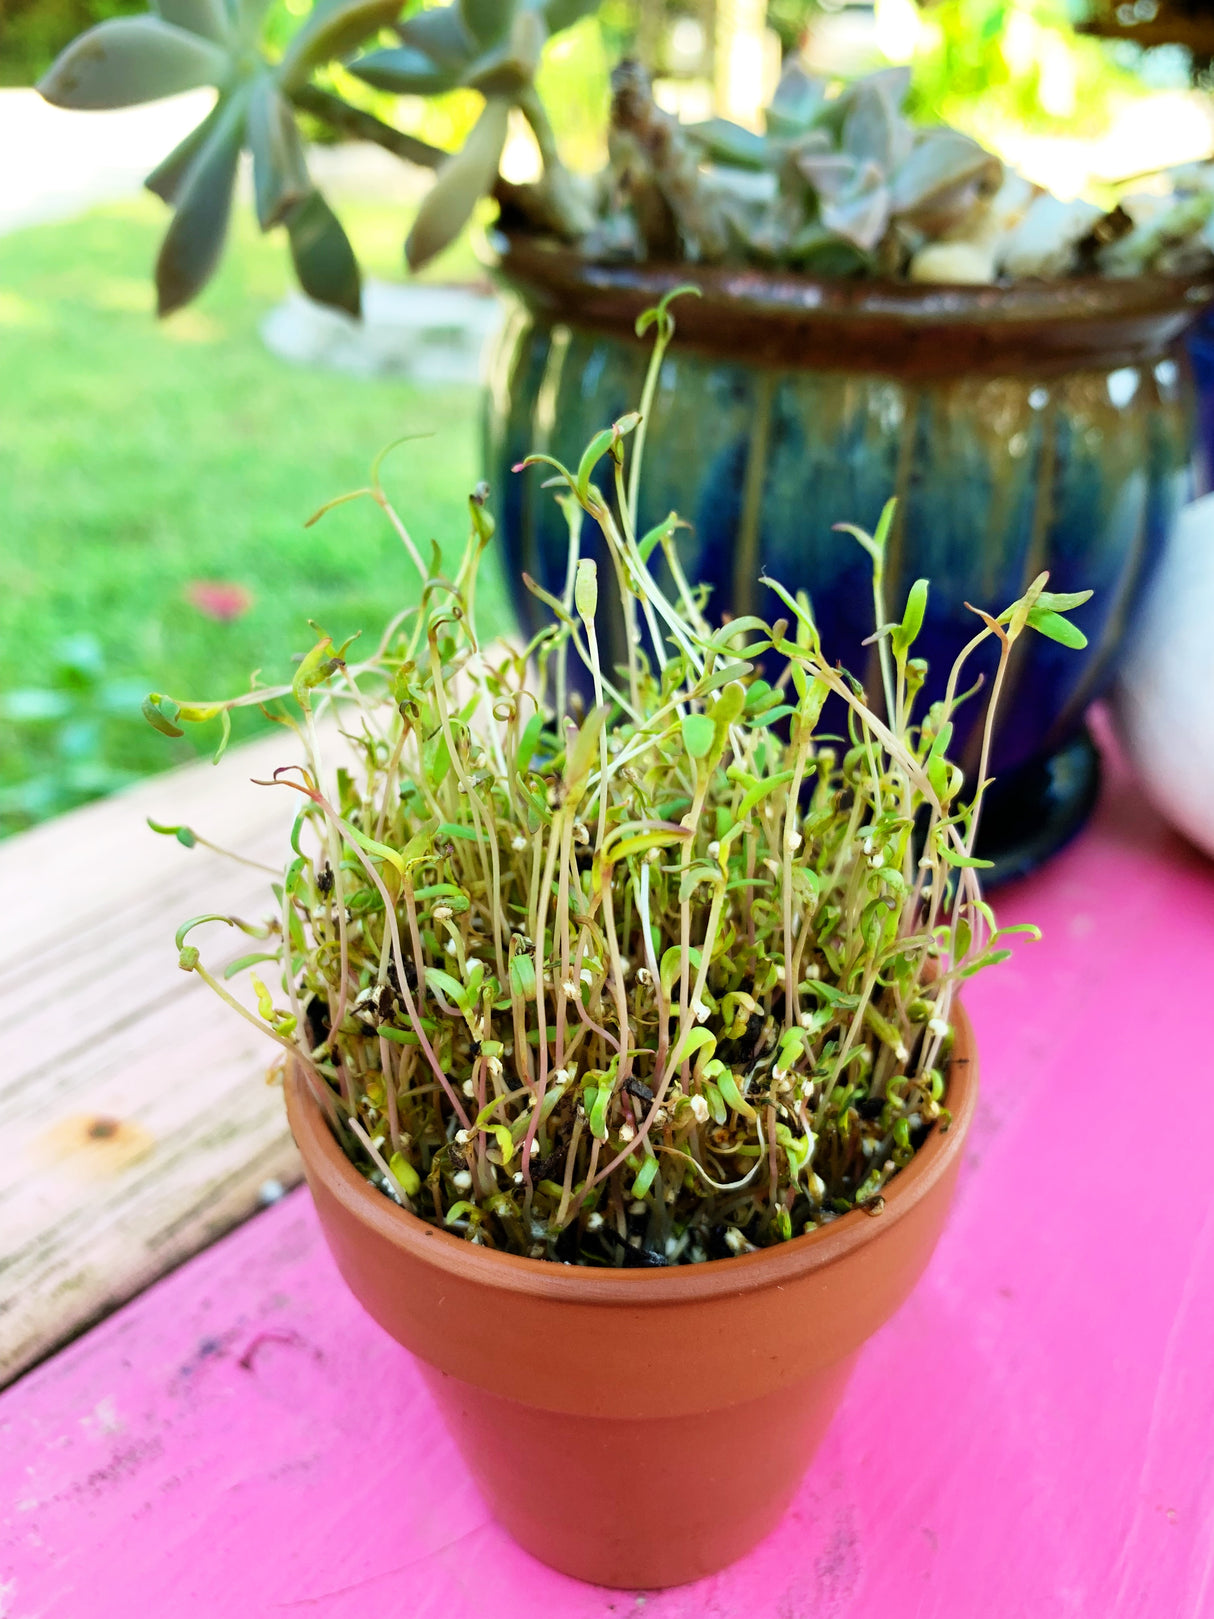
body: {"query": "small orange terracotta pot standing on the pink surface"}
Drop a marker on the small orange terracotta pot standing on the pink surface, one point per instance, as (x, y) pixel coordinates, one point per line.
(637, 1429)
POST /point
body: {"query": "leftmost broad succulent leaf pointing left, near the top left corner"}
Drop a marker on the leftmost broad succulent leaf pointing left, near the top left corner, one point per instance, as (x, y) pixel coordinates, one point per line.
(130, 61)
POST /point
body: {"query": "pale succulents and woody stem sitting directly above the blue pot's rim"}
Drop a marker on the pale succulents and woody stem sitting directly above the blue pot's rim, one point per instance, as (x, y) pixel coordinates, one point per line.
(843, 184)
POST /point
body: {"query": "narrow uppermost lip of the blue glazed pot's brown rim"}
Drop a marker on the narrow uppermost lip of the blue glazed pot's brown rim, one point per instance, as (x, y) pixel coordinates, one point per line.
(522, 258)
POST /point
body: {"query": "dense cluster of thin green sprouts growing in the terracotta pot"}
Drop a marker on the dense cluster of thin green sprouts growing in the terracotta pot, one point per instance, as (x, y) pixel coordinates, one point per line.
(647, 979)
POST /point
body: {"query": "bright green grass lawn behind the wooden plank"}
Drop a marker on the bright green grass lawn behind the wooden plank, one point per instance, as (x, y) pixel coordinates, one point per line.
(142, 457)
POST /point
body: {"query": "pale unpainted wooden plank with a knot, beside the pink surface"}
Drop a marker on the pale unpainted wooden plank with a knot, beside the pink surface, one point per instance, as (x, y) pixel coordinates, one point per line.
(135, 1126)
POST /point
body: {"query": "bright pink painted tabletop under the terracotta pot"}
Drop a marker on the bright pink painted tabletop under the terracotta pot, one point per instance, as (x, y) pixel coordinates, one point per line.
(1032, 1437)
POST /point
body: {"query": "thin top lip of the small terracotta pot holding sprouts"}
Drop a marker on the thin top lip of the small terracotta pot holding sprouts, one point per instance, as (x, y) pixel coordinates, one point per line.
(661, 1286)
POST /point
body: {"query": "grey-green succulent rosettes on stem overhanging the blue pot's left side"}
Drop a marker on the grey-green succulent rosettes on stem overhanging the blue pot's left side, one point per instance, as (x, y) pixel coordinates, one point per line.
(491, 46)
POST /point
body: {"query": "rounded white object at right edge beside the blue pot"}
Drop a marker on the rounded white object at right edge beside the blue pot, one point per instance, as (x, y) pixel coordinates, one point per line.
(1166, 692)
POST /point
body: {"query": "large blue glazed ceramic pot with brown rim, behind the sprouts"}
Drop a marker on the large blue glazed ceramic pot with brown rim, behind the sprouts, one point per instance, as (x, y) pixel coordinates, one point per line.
(1024, 428)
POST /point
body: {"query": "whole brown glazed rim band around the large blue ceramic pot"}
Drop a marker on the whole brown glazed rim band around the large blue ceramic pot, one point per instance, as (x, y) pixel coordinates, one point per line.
(783, 321)
